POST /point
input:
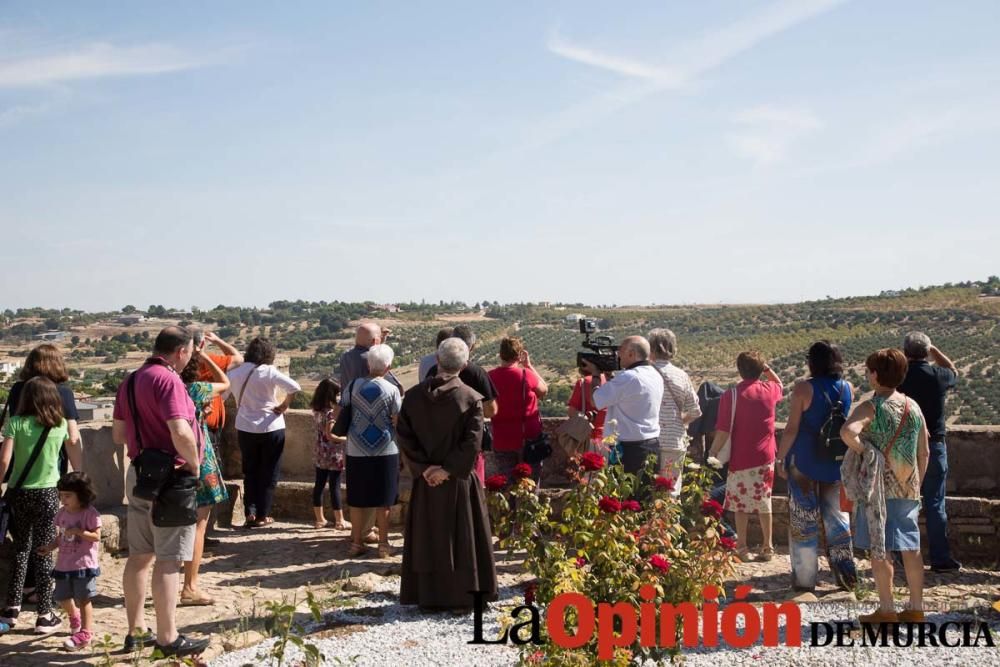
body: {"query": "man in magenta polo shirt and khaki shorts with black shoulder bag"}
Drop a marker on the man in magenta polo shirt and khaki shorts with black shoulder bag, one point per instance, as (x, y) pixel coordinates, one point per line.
(166, 419)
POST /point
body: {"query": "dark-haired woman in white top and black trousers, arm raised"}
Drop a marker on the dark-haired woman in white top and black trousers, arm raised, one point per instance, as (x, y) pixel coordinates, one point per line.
(260, 426)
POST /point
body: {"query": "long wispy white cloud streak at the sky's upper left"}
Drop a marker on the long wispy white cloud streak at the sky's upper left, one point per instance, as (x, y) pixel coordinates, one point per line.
(96, 61)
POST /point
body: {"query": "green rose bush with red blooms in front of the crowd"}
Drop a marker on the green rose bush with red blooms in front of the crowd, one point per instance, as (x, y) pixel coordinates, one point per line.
(610, 539)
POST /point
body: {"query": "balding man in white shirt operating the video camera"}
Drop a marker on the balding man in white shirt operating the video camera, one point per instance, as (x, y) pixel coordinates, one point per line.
(632, 398)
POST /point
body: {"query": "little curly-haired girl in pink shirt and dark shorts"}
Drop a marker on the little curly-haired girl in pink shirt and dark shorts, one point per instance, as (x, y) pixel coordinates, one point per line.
(78, 533)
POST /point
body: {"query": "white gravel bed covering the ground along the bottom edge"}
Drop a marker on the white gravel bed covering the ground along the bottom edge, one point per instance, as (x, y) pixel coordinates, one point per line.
(403, 636)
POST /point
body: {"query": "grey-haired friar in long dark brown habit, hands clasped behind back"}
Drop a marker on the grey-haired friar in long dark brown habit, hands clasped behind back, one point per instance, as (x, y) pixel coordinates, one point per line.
(447, 547)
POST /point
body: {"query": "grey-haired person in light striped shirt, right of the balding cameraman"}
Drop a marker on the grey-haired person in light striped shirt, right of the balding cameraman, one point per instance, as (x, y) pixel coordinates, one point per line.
(679, 407)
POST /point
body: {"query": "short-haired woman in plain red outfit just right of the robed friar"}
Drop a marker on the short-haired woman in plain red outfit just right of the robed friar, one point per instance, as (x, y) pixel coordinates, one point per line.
(519, 388)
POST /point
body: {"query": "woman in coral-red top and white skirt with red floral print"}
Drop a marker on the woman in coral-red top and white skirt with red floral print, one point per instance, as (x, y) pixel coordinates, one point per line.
(751, 464)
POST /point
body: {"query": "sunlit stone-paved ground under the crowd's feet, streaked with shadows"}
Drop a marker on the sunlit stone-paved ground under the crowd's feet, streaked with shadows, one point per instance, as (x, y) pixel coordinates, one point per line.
(250, 568)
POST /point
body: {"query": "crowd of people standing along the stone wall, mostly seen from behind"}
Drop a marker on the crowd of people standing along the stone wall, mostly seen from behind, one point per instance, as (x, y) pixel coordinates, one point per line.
(885, 458)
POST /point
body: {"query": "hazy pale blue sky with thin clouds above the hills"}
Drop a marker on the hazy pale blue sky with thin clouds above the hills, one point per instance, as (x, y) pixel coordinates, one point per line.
(191, 153)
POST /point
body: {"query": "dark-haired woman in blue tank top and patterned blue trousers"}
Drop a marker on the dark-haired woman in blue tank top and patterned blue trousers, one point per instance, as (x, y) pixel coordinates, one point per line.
(813, 481)
